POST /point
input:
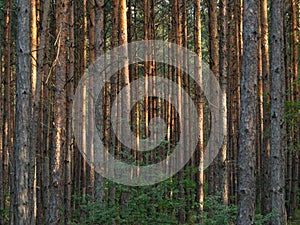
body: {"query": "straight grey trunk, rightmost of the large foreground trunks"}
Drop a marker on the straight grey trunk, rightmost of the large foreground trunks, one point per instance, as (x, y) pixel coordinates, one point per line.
(277, 160)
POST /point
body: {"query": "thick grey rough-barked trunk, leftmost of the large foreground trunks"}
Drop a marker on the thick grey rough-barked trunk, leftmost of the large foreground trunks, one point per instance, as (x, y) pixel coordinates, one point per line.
(23, 125)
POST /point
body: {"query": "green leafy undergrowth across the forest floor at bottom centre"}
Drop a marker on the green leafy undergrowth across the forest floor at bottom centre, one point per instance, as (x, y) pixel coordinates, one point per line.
(158, 204)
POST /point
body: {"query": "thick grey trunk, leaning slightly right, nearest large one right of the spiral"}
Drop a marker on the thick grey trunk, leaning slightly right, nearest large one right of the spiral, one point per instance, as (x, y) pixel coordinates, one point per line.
(247, 142)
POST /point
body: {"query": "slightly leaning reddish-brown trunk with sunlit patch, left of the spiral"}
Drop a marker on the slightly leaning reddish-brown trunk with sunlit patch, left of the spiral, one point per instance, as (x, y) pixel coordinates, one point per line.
(60, 110)
